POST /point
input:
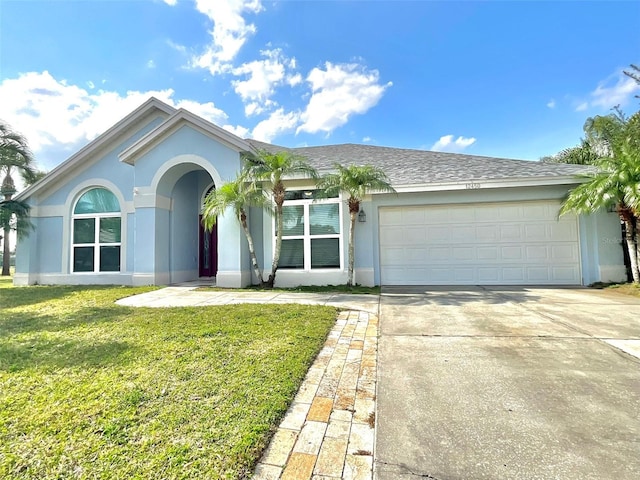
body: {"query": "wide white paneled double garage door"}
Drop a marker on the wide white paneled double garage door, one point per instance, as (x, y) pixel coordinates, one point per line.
(479, 244)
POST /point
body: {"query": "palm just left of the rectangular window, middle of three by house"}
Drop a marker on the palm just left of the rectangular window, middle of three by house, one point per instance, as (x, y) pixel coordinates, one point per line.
(272, 168)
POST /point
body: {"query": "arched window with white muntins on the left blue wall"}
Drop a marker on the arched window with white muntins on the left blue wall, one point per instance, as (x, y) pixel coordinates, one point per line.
(96, 232)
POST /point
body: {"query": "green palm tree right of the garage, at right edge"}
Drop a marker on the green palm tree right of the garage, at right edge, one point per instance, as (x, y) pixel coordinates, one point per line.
(616, 183)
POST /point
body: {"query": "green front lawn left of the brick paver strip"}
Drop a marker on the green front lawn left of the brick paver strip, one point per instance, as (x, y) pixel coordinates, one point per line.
(89, 389)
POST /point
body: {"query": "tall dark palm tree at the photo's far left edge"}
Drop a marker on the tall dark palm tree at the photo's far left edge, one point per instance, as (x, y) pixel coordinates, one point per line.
(14, 155)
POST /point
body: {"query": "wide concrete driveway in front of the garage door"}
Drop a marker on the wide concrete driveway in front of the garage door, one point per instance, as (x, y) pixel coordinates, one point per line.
(508, 383)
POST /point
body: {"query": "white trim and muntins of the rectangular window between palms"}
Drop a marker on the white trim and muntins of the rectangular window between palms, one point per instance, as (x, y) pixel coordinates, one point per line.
(306, 237)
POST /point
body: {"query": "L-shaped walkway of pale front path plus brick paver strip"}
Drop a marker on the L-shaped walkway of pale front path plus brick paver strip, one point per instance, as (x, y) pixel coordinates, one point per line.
(328, 431)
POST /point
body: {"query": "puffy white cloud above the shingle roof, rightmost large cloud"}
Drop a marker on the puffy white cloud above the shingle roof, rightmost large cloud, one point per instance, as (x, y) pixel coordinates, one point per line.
(338, 92)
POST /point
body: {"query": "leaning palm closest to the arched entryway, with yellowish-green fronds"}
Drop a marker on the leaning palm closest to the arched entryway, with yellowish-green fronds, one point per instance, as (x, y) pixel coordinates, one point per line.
(238, 195)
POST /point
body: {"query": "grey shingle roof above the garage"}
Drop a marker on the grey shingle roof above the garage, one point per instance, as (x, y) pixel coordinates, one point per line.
(420, 167)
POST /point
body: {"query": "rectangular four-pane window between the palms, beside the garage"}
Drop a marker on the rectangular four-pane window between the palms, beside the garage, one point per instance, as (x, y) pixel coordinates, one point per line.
(311, 234)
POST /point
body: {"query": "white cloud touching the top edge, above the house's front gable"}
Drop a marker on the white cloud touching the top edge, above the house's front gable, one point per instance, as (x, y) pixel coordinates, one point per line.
(229, 33)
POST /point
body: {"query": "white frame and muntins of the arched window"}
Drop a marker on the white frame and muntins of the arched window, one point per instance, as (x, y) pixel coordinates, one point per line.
(96, 244)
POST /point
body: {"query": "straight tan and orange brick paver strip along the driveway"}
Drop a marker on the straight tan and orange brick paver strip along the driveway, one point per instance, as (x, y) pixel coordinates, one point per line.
(328, 432)
